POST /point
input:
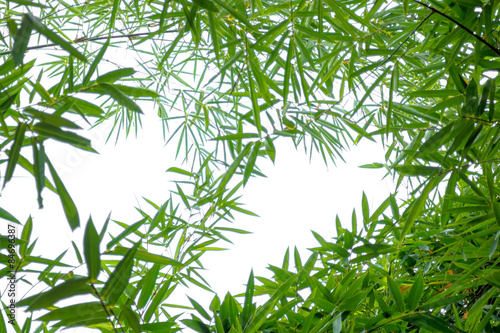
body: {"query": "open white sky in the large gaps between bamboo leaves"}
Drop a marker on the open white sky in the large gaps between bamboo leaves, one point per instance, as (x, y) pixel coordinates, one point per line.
(296, 196)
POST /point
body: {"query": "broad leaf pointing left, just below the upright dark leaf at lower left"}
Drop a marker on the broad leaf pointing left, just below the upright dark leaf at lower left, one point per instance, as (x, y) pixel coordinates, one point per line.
(72, 287)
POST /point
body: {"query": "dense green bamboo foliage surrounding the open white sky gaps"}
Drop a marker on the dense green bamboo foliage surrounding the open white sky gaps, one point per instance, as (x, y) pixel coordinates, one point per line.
(229, 78)
